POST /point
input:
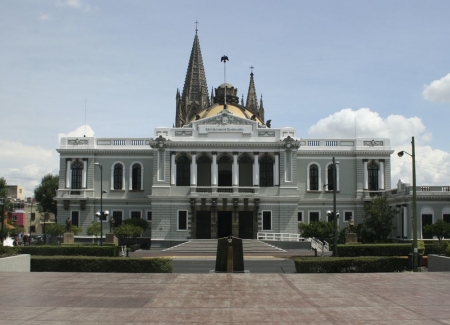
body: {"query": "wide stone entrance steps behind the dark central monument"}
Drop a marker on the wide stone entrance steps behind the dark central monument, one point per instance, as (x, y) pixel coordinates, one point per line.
(210, 246)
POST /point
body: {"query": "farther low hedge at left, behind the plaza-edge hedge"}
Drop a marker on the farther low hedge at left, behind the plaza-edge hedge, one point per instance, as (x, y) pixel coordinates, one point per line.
(70, 250)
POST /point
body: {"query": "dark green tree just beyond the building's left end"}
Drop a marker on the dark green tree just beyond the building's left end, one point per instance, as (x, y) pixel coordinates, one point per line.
(45, 194)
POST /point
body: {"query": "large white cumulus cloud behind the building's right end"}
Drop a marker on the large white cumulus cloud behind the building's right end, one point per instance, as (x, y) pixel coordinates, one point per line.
(432, 164)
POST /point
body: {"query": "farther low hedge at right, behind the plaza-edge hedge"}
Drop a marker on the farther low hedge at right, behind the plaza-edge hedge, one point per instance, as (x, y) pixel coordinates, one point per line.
(352, 250)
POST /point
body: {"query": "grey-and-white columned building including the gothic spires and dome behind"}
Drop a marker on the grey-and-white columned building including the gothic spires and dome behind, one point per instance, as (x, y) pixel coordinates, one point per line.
(222, 169)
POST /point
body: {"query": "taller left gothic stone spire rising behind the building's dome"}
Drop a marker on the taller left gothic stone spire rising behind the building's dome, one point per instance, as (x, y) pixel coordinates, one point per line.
(195, 96)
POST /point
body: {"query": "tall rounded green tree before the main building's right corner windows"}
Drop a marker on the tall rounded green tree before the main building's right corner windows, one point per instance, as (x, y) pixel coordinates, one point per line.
(378, 219)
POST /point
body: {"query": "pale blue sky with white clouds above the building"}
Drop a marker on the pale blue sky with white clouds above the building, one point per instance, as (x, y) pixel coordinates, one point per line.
(321, 66)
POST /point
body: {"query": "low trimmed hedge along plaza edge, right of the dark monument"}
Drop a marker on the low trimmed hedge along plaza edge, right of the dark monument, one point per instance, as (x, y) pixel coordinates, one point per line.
(365, 264)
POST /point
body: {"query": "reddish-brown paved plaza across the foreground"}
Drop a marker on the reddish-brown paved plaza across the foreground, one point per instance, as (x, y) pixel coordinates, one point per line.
(111, 298)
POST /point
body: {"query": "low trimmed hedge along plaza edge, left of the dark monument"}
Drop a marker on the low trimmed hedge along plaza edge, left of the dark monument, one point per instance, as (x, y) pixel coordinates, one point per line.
(100, 264)
